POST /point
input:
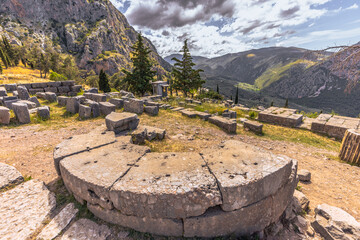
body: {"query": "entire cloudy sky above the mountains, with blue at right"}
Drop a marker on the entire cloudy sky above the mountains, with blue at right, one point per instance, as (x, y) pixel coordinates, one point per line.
(218, 27)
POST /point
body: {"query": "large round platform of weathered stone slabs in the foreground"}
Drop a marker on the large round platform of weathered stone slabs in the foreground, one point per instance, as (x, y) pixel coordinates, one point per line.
(235, 188)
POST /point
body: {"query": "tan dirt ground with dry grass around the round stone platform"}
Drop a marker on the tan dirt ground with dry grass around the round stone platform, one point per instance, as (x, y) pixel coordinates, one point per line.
(30, 150)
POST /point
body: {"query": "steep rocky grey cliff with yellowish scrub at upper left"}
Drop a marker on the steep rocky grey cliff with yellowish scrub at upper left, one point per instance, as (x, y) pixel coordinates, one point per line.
(92, 30)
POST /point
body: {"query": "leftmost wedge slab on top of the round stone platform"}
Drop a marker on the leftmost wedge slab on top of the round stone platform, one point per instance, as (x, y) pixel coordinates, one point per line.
(81, 143)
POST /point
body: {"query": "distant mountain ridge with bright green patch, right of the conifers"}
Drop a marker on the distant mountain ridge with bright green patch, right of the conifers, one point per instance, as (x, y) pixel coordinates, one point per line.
(279, 73)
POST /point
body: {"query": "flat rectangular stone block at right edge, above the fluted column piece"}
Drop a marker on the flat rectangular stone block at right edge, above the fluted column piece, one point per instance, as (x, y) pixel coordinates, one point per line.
(334, 126)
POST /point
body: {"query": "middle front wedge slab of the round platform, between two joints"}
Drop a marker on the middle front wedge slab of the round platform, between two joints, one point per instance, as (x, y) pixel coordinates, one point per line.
(166, 185)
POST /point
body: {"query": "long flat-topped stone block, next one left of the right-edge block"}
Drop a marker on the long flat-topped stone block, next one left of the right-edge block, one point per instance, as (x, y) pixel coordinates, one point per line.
(281, 116)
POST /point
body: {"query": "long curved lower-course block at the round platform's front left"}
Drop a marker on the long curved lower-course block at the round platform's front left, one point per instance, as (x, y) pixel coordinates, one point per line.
(158, 226)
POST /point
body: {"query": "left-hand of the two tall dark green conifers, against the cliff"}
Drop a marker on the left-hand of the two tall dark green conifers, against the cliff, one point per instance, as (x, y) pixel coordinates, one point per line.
(139, 80)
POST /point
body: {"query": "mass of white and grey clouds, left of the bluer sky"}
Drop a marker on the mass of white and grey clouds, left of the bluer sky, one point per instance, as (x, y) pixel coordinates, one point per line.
(239, 25)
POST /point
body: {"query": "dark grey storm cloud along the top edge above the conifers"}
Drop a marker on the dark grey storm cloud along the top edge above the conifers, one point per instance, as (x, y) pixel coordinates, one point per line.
(171, 13)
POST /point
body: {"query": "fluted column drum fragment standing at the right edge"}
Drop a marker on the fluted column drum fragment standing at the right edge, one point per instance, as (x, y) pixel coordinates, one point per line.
(350, 151)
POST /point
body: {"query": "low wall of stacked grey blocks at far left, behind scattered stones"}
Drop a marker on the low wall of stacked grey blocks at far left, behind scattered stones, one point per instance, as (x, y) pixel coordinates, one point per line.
(67, 88)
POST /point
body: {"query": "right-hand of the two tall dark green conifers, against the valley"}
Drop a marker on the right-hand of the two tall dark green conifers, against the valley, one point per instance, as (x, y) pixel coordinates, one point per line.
(186, 78)
